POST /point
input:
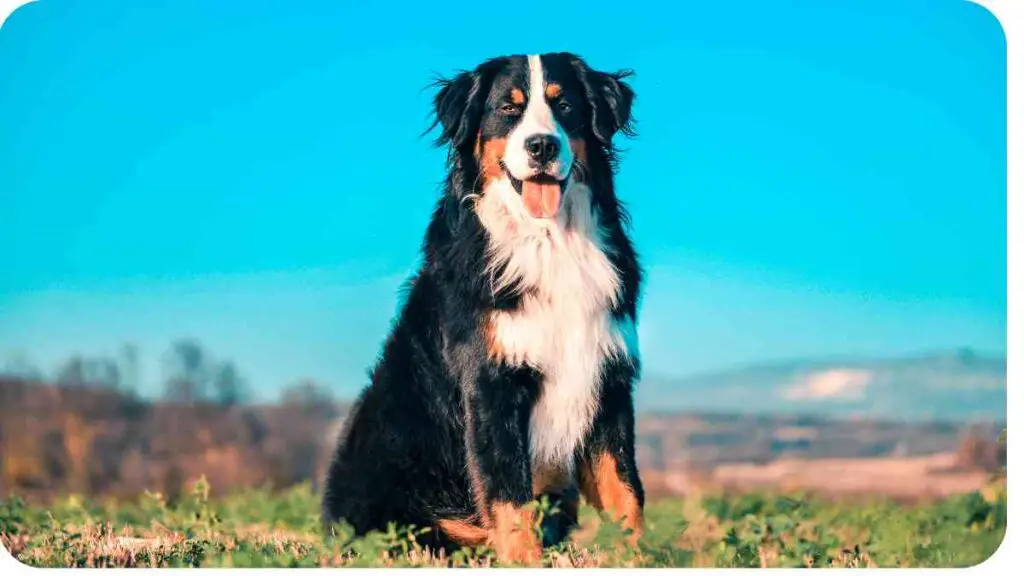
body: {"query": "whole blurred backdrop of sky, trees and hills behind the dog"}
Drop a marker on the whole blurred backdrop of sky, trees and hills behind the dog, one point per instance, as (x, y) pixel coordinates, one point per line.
(207, 215)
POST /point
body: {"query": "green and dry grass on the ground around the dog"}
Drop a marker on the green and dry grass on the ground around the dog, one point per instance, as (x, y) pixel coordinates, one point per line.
(262, 529)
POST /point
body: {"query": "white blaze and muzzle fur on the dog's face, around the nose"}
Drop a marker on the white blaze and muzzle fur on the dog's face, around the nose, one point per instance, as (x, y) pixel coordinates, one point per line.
(537, 119)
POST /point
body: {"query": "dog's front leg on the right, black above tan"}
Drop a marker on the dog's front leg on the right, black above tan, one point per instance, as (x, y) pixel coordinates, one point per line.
(607, 468)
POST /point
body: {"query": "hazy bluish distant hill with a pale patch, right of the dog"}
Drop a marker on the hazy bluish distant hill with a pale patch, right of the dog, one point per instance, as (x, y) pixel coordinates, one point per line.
(957, 387)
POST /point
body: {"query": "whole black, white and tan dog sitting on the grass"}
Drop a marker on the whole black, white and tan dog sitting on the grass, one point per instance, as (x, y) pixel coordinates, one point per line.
(508, 375)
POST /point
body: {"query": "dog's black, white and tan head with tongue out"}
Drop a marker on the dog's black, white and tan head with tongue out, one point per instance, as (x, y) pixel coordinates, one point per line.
(534, 121)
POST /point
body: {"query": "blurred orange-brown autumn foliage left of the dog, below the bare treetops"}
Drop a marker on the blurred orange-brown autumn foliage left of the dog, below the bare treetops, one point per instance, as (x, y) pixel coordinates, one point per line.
(59, 440)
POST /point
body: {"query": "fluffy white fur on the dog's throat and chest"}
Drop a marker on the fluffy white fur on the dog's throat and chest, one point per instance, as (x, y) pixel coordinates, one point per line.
(564, 327)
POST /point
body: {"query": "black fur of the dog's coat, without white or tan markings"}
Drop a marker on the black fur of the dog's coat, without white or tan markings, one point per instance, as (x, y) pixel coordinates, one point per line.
(437, 403)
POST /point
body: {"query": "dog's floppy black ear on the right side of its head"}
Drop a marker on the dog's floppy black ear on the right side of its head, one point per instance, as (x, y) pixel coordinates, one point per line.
(611, 101)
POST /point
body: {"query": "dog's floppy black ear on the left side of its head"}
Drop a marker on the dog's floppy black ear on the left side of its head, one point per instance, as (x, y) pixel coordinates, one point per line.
(457, 107)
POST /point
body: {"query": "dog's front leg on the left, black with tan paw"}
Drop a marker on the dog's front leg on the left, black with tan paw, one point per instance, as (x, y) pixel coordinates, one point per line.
(498, 409)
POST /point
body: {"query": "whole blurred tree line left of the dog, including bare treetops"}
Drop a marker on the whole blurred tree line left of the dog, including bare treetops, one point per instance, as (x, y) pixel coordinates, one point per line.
(88, 430)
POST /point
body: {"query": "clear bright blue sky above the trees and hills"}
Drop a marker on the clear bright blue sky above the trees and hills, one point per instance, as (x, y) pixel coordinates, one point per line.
(812, 179)
